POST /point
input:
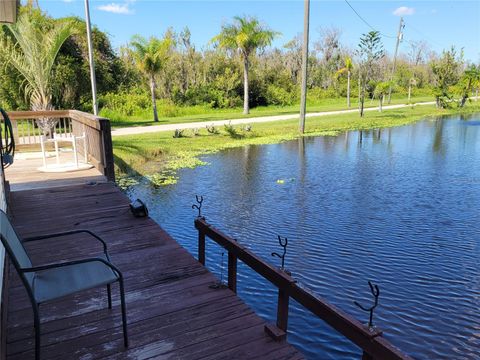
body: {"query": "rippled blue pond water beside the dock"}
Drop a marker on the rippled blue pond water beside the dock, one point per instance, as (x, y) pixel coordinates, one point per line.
(398, 206)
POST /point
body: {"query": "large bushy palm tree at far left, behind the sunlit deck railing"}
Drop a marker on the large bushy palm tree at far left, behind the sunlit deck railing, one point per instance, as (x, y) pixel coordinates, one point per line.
(32, 51)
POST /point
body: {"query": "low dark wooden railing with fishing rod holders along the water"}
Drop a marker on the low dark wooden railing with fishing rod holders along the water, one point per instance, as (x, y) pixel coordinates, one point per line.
(374, 346)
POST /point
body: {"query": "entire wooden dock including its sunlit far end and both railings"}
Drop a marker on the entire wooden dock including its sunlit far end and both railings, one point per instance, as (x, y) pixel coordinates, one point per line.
(173, 311)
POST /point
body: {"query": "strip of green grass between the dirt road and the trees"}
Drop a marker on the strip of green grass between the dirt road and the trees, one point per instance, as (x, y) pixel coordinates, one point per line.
(175, 115)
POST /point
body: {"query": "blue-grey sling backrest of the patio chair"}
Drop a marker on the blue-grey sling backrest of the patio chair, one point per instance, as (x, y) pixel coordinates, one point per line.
(14, 247)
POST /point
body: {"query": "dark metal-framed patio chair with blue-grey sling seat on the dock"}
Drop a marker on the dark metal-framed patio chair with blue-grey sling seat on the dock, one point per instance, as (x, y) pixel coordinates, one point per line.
(48, 282)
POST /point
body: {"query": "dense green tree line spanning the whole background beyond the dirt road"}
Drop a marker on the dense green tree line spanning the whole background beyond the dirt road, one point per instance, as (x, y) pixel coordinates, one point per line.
(172, 69)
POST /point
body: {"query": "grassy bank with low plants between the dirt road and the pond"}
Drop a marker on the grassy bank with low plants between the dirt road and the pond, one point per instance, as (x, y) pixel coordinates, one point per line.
(158, 156)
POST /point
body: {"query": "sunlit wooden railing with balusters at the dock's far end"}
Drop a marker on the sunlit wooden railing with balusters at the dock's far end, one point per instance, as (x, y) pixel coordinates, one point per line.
(96, 129)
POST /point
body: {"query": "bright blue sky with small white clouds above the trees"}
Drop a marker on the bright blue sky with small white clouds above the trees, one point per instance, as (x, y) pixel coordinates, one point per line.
(440, 23)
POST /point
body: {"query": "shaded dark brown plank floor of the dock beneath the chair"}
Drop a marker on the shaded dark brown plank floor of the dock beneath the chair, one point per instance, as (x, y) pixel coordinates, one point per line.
(172, 311)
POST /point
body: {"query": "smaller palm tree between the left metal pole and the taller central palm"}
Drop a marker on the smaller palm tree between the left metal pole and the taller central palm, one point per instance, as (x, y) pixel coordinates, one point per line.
(150, 57)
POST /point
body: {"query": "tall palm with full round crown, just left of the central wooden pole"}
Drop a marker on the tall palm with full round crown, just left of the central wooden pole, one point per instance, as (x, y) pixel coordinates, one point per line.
(245, 35)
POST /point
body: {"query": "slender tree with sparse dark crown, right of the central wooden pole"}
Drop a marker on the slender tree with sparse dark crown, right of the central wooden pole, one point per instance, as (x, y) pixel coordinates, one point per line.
(370, 51)
